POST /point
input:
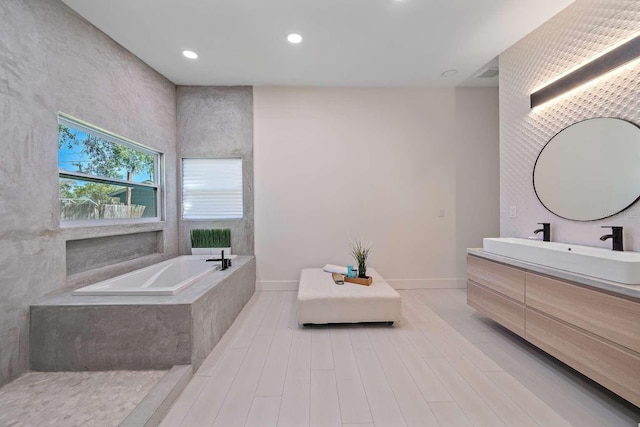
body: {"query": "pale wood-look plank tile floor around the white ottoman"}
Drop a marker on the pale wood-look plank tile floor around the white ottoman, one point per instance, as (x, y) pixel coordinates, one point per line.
(444, 364)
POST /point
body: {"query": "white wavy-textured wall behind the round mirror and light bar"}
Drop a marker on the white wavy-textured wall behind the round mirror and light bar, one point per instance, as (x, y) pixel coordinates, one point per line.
(577, 34)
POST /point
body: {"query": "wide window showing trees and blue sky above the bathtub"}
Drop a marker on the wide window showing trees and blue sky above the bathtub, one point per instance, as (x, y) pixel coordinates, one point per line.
(103, 176)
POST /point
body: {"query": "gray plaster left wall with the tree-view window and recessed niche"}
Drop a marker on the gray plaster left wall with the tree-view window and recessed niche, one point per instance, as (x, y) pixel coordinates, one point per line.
(52, 60)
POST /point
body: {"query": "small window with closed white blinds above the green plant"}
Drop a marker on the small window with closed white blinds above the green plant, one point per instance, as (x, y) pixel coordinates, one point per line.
(212, 188)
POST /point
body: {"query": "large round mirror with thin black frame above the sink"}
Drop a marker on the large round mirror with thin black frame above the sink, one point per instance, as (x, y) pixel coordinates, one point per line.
(590, 170)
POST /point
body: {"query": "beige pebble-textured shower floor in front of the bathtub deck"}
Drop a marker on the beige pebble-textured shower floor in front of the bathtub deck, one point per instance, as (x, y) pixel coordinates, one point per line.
(67, 399)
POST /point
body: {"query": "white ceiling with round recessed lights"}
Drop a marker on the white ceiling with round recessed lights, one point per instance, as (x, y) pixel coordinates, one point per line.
(346, 42)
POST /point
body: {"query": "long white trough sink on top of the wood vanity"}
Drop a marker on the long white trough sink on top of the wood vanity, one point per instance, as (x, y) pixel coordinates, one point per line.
(621, 267)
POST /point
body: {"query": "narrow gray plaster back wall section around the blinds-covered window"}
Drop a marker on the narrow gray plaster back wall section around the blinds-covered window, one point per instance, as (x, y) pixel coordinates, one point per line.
(218, 122)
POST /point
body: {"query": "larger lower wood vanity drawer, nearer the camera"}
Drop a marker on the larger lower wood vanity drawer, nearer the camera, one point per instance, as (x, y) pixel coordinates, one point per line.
(616, 369)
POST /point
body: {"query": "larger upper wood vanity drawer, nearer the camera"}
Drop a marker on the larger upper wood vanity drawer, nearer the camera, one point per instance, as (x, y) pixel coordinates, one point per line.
(614, 318)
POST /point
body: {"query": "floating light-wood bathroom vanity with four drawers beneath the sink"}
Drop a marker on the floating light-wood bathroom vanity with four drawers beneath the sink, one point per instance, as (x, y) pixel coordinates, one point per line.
(592, 325)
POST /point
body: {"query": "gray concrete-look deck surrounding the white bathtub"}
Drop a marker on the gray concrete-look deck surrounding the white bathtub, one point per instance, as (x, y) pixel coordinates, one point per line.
(78, 333)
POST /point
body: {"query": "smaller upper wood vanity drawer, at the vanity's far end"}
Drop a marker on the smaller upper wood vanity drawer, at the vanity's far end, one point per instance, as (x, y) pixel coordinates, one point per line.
(498, 277)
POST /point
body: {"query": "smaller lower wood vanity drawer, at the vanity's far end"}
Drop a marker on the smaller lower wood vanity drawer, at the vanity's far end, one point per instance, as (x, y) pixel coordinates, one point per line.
(503, 310)
